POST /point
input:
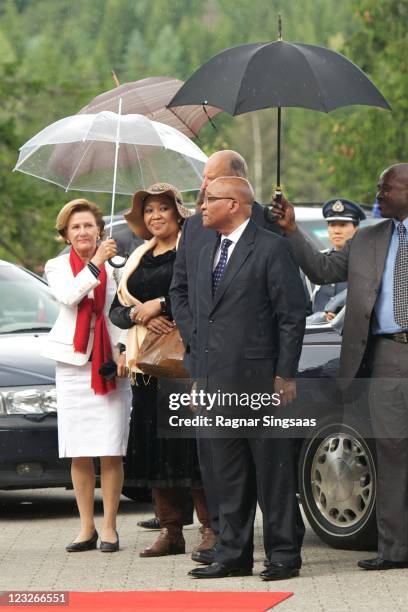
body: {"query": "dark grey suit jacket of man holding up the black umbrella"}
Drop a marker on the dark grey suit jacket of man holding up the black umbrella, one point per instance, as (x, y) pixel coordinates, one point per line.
(360, 263)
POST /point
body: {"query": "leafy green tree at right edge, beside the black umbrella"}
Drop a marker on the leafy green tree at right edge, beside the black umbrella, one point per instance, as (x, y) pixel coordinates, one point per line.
(365, 141)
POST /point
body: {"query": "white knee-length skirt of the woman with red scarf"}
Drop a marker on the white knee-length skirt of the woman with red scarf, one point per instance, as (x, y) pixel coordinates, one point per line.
(90, 425)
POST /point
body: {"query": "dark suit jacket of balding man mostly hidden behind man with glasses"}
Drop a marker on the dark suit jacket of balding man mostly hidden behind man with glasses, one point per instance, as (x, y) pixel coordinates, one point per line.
(193, 238)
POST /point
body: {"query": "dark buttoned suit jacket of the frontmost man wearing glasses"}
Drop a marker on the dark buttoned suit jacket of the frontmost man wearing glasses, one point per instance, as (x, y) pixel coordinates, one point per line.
(254, 323)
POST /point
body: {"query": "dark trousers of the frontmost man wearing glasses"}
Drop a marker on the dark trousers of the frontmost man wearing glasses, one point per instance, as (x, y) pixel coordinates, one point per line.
(243, 466)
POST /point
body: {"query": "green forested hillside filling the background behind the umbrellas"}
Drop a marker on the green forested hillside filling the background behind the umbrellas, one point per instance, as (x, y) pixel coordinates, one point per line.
(56, 55)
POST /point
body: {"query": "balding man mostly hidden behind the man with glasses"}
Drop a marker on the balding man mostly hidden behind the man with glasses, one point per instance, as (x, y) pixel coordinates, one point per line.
(193, 238)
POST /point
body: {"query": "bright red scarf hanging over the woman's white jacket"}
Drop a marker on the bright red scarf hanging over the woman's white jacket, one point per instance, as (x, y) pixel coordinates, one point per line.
(101, 350)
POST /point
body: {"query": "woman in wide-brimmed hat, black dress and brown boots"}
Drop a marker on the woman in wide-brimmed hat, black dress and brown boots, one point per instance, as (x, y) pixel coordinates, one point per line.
(170, 467)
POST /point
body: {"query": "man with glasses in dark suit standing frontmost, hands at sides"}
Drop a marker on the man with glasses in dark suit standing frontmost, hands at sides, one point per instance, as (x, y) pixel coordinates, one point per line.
(249, 316)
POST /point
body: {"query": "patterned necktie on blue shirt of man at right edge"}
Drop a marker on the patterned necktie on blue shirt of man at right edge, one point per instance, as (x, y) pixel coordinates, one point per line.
(401, 279)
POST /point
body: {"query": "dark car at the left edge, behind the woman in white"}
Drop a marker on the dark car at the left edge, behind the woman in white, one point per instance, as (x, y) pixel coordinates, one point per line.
(28, 409)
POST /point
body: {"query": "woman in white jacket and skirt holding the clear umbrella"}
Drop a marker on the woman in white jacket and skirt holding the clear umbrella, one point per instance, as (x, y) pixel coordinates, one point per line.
(93, 413)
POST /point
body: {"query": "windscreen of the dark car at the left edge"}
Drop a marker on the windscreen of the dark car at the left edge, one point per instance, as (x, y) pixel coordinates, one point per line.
(26, 303)
